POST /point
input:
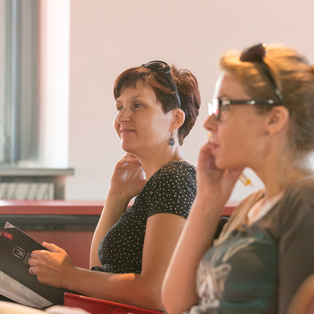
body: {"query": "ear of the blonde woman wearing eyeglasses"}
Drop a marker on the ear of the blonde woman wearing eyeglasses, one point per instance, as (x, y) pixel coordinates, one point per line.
(278, 118)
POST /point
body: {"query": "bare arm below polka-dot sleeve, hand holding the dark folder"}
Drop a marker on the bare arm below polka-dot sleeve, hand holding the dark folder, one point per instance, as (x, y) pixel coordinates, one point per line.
(162, 232)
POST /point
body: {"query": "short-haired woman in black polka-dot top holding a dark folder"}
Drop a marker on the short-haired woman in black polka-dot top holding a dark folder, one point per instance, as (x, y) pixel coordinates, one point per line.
(156, 108)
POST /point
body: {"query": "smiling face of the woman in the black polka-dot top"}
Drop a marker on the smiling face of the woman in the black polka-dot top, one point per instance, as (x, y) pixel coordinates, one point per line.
(141, 124)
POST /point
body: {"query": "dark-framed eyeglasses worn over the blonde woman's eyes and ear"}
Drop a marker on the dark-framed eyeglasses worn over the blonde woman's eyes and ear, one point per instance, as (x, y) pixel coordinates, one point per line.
(217, 105)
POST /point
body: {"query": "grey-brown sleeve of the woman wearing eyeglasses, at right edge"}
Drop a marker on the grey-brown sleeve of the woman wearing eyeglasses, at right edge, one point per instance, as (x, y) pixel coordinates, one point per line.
(296, 250)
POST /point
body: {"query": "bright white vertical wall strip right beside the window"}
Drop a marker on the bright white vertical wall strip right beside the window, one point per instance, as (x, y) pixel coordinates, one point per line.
(54, 82)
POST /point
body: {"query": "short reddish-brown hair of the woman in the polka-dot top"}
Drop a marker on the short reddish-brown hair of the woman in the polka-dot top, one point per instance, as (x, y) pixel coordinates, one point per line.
(187, 86)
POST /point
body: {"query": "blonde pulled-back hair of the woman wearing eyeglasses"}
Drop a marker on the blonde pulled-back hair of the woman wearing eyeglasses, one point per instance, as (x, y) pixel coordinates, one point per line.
(295, 78)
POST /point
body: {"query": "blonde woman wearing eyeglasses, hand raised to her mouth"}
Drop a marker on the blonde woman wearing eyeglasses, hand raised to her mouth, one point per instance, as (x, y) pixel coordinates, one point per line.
(262, 117)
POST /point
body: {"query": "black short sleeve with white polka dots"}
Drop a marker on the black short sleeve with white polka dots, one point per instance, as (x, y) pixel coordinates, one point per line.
(173, 190)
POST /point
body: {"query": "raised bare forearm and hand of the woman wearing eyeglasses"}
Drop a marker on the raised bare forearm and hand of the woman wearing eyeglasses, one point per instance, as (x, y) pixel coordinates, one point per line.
(214, 188)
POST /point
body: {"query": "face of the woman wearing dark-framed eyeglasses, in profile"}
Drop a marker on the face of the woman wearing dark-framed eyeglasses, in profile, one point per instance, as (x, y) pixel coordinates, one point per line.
(236, 139)
